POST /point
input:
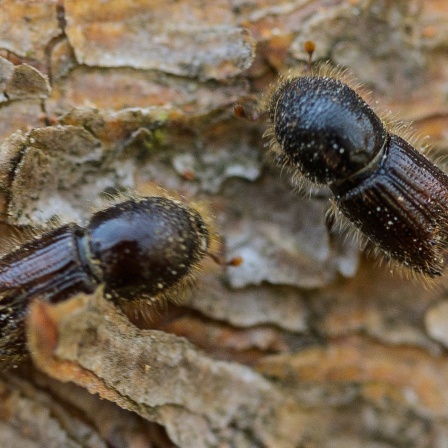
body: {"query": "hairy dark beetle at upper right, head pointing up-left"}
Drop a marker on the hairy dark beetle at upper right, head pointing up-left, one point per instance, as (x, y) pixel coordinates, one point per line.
(324, 131)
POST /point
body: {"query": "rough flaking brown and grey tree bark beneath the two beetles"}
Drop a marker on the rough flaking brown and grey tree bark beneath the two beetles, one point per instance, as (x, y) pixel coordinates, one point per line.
(307, 343)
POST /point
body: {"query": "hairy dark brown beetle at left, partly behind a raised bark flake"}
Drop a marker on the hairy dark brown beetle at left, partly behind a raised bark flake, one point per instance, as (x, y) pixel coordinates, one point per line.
(138, 249)
